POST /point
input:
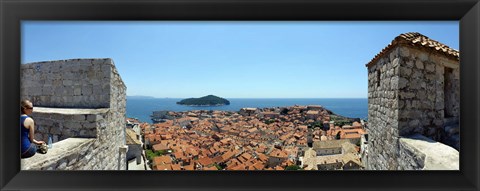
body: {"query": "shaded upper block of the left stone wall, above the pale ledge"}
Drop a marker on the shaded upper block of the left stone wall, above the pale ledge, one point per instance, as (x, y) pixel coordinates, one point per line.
(78, 83)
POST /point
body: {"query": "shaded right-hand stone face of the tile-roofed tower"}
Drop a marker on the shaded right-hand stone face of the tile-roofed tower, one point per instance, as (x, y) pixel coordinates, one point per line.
(422, 92)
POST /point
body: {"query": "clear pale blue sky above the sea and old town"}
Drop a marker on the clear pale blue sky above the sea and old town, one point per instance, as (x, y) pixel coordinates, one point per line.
(229, 59)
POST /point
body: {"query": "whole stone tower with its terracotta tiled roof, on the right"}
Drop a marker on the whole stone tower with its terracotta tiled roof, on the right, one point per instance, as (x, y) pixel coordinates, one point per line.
(413, 89)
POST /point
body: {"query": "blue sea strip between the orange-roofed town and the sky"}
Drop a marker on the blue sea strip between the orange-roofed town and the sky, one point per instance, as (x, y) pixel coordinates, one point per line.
(142, 108)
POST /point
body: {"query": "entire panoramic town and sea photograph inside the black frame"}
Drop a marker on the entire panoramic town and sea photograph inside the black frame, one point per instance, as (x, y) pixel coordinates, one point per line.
(238, 95)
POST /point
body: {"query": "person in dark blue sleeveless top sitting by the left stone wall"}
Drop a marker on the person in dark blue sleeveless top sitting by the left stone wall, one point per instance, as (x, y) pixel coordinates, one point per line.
(29, 144)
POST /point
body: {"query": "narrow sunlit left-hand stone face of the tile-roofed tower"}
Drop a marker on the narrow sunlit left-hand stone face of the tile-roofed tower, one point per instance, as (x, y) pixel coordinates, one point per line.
(383, 82)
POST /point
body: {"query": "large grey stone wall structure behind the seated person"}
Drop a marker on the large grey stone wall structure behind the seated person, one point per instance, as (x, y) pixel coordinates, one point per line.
(89, 102)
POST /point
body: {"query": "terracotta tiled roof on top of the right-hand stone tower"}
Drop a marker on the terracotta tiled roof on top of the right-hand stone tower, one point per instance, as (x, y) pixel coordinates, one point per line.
(418, 40)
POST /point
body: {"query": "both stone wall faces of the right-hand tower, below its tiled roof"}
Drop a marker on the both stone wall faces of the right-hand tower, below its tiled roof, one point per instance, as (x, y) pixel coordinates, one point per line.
(416, 105)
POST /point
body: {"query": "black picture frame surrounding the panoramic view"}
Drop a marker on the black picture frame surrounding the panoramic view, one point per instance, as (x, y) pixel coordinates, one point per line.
(12, 12)
